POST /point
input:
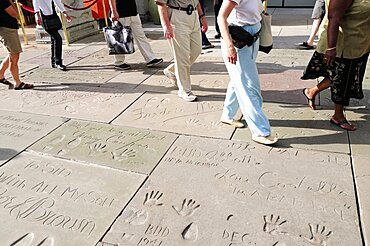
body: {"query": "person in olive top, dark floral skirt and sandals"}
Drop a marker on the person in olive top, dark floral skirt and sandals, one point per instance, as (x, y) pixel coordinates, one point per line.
(341, 57)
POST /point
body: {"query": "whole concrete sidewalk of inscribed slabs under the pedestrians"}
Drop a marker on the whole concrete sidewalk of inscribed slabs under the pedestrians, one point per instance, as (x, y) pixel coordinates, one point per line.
(98, 156)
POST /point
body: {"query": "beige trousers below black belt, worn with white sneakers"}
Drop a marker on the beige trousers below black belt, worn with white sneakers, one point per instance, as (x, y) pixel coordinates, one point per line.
(186, 46)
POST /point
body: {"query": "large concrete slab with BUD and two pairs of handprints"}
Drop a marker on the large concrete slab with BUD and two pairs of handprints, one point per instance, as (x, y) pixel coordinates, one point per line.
(216, 192)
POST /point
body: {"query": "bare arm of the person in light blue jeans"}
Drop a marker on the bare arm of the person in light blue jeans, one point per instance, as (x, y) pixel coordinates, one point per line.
(226, 8)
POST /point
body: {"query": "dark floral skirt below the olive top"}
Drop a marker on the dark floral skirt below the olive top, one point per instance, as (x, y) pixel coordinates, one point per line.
(346, 76)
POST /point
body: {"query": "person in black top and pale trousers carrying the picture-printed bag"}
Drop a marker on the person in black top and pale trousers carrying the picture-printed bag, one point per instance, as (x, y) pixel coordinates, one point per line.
(125, 11)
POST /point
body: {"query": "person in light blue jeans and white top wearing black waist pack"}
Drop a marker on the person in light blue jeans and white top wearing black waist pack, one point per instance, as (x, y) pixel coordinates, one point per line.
(244, 87)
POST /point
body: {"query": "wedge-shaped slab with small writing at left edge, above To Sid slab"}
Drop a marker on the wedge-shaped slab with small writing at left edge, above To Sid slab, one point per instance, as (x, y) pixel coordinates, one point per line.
(20, 130)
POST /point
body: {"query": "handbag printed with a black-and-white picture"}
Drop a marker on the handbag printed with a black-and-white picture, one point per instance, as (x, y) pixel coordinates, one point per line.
(119, 39)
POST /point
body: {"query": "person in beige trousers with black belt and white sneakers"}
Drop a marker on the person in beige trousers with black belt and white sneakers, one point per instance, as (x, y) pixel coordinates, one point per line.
(180, 22)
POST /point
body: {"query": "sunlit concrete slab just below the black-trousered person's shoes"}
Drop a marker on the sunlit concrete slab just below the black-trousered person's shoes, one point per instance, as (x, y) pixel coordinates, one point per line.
(78, 77)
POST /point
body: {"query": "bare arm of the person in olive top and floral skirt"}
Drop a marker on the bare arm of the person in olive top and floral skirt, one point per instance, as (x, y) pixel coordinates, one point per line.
(337, 8)
